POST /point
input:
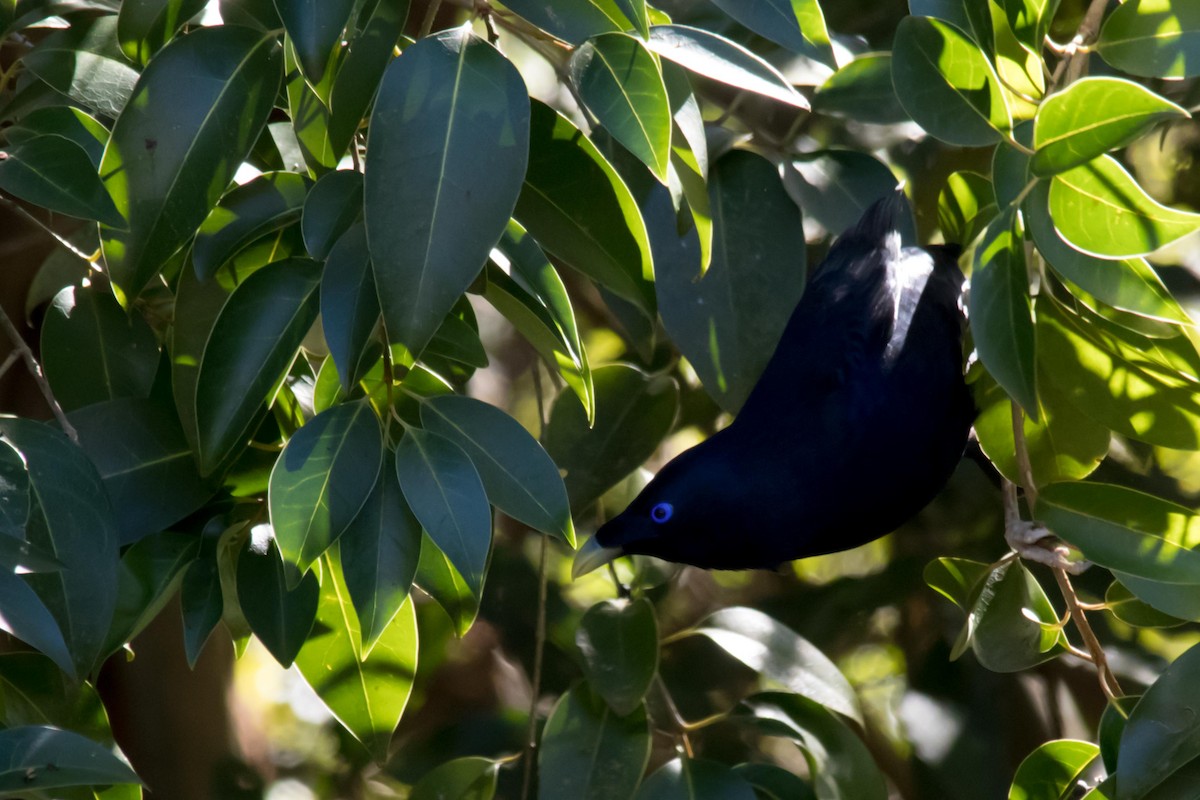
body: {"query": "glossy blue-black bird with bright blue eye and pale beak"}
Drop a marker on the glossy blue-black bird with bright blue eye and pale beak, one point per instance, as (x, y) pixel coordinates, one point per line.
(856, 424)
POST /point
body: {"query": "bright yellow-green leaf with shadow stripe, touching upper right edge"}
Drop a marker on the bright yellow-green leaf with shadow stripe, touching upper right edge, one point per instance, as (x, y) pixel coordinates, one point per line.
(1100, 209)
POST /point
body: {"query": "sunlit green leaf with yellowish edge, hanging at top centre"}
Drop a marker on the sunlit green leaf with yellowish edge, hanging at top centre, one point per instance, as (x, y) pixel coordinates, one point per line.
(620, 82)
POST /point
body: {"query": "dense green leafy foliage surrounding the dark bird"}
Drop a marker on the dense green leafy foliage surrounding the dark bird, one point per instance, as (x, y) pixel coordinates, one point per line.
(316, 237)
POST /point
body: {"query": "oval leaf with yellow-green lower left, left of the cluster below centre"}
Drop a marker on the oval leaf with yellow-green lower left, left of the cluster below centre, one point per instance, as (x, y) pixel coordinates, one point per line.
(322, 480)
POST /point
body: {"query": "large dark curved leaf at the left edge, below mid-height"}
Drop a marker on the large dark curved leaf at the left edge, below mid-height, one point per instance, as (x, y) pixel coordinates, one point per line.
(73, 521)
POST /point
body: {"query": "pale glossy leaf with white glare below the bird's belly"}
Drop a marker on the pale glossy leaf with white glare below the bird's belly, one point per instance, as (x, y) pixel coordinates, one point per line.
(779, 654)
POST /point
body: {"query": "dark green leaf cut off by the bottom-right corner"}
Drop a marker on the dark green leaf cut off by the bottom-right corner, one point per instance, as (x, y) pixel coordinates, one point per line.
(1161, 736)
